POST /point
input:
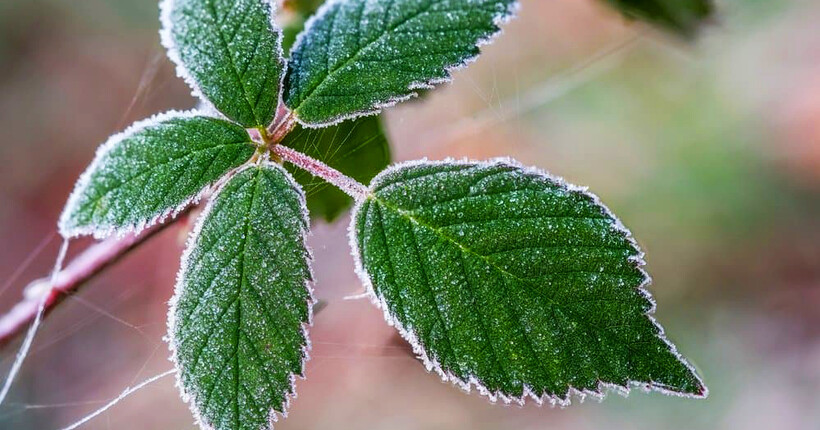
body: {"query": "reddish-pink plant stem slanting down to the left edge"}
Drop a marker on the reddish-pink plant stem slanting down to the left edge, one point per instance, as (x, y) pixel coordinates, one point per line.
(80, 270)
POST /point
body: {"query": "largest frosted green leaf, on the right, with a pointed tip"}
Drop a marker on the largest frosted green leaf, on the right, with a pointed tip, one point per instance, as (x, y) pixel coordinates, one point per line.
(513, 281)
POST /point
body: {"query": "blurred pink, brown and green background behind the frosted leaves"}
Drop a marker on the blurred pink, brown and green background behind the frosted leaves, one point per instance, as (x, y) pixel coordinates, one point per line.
(709, 152)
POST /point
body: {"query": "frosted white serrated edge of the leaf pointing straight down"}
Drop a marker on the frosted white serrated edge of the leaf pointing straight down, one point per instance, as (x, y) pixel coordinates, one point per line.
(188, 397)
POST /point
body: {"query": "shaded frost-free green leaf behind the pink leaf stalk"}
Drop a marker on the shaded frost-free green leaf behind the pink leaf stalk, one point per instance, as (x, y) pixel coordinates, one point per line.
(358, 149)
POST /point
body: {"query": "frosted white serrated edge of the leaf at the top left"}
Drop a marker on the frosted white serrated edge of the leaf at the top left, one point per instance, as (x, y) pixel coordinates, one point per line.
(167, 41)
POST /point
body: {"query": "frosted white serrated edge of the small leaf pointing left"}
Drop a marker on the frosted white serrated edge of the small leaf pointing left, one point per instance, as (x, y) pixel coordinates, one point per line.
(103, 231)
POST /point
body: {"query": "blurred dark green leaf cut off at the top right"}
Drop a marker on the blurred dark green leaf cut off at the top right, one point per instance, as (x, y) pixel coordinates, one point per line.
(683, 17)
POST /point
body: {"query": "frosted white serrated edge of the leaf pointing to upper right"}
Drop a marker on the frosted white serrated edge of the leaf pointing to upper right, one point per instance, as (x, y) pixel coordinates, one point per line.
(498, 21)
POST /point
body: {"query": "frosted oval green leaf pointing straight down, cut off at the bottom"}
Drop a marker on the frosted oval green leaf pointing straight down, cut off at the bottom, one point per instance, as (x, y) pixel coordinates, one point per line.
(239, 317)
